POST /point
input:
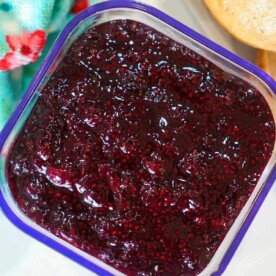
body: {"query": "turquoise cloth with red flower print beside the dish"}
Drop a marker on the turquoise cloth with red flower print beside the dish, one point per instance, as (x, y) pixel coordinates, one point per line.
(27, 30)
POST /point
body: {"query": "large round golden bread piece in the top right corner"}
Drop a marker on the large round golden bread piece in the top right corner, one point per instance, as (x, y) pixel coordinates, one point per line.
(251, 21)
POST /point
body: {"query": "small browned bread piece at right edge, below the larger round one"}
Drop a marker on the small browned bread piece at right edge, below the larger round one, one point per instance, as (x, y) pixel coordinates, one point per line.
(267, 61)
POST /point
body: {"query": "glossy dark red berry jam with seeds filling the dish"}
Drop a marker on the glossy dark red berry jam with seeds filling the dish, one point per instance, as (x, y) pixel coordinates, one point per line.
(141, 152)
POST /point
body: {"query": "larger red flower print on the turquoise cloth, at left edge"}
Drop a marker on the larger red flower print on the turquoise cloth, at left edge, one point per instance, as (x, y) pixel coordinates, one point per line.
(24, 48)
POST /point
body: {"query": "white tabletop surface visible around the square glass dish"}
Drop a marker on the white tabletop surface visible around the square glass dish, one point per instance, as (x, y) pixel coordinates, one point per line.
(20, 255)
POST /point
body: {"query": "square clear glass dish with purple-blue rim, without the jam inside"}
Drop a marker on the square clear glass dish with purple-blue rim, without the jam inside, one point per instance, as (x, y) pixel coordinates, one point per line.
(227, 61)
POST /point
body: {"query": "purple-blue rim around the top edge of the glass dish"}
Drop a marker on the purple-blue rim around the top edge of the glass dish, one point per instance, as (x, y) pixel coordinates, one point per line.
(108, 5)
